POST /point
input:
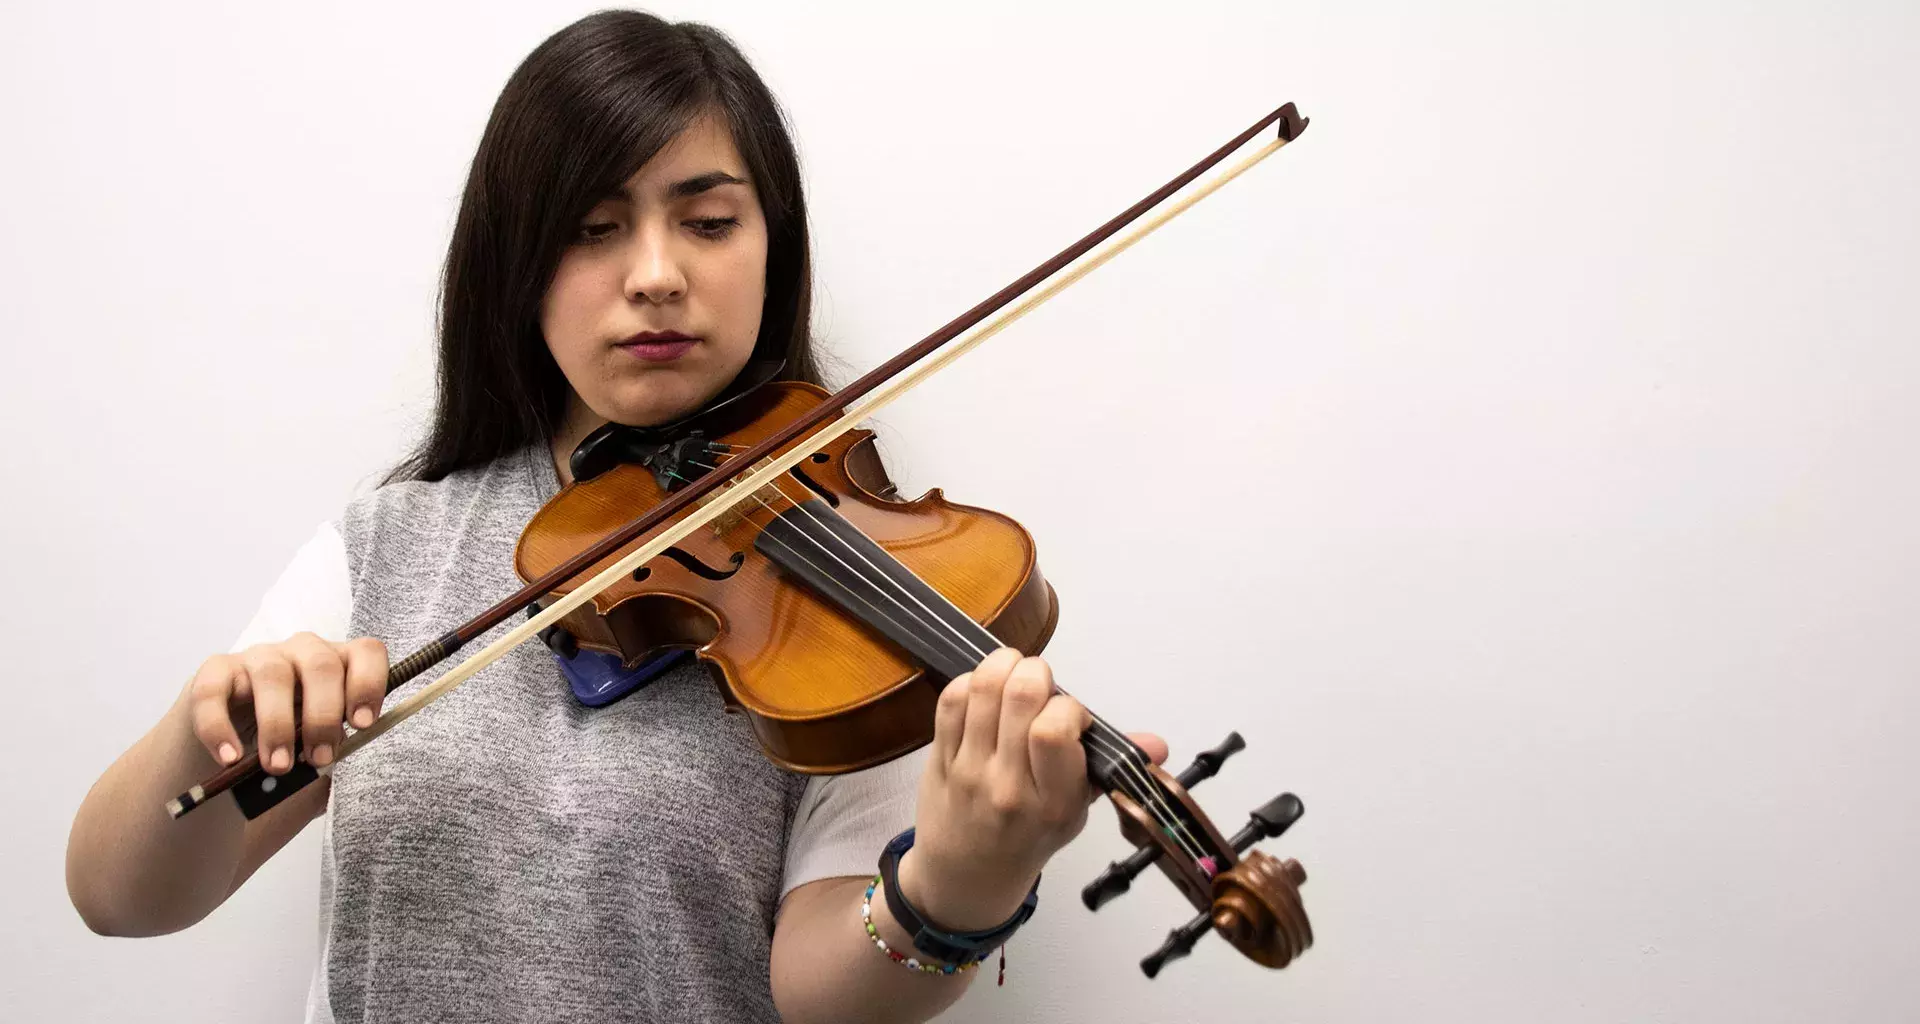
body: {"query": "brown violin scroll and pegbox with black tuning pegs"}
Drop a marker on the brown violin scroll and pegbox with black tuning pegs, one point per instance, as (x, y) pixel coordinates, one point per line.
(1251, 898)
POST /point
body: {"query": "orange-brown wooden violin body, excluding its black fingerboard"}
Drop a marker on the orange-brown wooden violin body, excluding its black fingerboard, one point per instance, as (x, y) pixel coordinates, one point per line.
(825, 693)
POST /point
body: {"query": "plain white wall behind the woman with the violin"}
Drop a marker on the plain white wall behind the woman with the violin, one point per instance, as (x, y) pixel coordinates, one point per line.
(1570, 360)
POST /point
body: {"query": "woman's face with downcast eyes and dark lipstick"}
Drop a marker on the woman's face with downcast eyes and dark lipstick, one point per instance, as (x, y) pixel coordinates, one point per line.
(658, 303)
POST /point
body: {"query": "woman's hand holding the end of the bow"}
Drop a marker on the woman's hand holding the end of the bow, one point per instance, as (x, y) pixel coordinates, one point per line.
(331, 683)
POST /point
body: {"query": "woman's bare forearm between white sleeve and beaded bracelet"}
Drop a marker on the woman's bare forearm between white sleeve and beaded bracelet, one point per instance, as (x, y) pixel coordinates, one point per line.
(827, 969)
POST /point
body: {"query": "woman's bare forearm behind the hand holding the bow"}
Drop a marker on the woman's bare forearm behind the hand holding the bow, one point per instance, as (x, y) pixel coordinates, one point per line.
(132, 869)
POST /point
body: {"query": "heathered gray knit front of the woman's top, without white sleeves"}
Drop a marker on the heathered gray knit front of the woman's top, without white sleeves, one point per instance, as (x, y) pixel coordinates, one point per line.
(510, 856)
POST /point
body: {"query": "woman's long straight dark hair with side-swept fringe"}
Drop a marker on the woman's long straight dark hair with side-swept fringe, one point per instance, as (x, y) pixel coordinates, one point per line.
(579, 118)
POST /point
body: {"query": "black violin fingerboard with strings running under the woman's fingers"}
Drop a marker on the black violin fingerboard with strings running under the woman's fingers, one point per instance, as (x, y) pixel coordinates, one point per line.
(850, 570)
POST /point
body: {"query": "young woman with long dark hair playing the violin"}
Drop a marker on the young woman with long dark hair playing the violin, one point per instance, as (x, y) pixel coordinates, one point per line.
(633, 243)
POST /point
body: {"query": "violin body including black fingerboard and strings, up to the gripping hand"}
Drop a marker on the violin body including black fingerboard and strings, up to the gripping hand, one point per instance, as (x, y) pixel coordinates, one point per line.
(823, 610)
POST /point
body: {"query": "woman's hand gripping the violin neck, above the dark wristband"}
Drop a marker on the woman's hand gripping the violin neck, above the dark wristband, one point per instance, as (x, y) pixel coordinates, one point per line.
(1005, 789)
